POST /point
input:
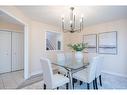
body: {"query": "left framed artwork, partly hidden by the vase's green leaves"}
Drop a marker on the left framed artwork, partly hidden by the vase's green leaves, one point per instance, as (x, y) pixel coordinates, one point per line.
(91, 40)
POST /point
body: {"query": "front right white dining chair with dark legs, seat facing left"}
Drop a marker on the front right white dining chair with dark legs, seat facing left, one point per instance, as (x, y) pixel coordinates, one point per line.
(87, 75)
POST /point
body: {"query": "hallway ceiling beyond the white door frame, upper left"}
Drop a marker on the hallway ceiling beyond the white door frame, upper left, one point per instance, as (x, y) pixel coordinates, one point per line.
(5, 18)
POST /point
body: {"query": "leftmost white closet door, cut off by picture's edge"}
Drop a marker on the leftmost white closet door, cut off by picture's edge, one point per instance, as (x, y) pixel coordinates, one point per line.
(5, 51)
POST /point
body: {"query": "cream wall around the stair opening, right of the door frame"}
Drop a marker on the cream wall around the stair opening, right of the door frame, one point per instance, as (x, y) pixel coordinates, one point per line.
(38, 45)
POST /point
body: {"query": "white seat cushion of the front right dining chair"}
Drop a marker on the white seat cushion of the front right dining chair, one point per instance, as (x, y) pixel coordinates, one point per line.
(82, 76)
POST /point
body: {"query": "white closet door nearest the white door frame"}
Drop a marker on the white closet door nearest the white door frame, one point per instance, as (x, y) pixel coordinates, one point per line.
(17, 51)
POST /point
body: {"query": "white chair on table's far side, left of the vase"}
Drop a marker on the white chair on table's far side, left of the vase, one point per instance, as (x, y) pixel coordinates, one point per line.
(61, 60)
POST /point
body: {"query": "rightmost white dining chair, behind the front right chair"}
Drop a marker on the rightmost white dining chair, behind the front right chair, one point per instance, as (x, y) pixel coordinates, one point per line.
(99, 70)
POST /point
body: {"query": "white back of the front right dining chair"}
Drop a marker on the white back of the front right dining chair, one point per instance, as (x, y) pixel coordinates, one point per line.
(91, 70)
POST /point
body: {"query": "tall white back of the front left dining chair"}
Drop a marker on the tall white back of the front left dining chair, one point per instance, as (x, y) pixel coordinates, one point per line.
(47, 72)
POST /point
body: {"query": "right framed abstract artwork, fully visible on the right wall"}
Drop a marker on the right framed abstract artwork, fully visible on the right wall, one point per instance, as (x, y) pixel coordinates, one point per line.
(107, 42)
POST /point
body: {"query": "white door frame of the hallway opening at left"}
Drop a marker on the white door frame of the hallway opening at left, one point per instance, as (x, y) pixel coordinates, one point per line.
(26, 44)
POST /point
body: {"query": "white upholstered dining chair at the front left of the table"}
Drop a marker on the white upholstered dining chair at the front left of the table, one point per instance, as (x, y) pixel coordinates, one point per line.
(51, 81)
